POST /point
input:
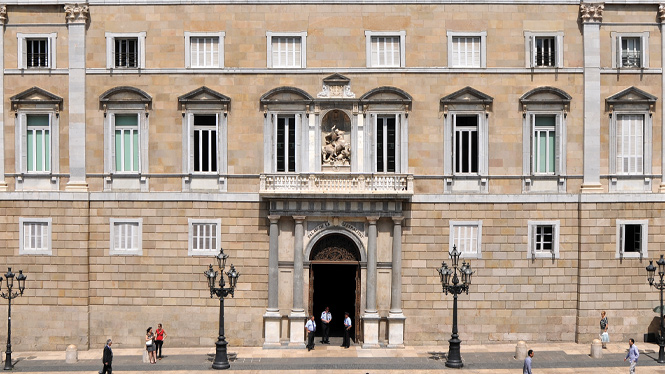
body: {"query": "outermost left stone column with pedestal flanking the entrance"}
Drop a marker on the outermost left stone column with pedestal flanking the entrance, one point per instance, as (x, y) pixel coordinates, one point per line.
(271, 318)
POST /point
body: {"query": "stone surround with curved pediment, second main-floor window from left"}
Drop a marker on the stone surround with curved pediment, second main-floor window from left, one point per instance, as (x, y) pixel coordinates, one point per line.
(125, 100)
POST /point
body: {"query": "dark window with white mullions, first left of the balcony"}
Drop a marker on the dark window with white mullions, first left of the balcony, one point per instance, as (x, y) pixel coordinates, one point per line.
(205, 143)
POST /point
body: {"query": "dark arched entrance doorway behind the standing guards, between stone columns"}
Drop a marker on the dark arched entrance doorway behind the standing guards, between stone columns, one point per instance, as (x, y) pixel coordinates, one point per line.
(334, 281)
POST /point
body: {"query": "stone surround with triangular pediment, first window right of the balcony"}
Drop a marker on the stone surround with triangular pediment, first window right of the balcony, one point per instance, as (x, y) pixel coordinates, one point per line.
(467, 101)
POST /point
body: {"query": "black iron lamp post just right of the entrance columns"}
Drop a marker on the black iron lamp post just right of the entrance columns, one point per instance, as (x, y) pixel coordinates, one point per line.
(455, 284)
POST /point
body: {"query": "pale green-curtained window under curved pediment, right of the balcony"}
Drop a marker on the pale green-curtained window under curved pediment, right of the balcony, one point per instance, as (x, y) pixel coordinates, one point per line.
(544, 144)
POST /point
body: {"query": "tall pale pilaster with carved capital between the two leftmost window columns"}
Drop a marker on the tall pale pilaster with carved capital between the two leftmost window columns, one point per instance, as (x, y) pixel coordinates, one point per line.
(77, 16)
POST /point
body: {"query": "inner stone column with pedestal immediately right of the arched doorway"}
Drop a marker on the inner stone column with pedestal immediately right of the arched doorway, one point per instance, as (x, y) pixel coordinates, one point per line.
(371, 316)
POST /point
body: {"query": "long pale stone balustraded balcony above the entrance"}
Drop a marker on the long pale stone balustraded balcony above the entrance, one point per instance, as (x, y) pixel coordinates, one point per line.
(367, 185)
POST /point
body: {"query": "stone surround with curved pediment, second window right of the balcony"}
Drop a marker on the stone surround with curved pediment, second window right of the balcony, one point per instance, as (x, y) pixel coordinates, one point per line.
(543, 101)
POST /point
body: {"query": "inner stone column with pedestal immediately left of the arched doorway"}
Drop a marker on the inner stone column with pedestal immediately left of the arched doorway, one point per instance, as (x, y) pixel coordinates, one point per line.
(297, 316)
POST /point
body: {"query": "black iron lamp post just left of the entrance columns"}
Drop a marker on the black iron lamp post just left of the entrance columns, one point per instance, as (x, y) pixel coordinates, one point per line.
(221, 359)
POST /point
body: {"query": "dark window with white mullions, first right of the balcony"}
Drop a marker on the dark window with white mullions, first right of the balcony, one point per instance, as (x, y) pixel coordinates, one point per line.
(466, 144)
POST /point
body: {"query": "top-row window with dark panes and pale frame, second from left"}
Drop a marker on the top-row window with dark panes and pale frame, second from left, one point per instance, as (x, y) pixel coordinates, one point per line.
(125, 50)
